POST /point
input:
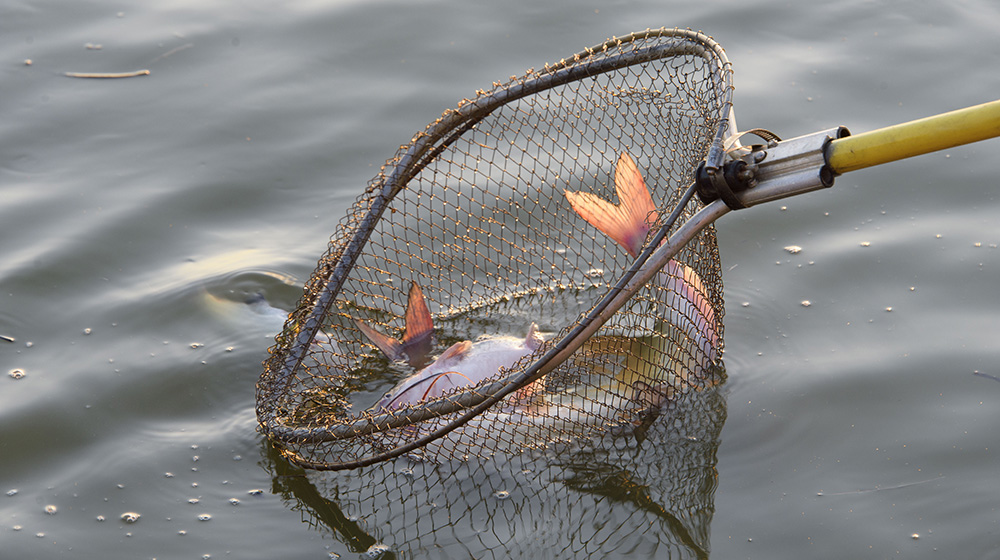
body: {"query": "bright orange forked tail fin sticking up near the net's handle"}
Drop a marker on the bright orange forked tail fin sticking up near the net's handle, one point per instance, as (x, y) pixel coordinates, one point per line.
(627, 222)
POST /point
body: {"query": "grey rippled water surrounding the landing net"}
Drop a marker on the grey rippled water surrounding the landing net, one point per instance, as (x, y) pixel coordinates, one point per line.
(139, 214)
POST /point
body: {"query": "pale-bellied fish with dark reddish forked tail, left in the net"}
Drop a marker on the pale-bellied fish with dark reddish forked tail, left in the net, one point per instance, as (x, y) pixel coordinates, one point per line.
(462, 364)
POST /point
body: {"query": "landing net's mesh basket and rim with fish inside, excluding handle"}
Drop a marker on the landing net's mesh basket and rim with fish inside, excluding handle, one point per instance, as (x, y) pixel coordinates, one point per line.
(473, 243)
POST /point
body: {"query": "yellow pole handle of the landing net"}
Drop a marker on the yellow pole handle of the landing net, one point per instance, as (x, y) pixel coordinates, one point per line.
(915, 138)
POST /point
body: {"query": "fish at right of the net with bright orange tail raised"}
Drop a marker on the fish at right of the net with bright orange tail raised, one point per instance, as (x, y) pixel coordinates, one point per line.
(684, 295)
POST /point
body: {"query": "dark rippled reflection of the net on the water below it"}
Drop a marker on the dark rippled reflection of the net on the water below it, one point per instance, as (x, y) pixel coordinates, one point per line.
(650, 493)
